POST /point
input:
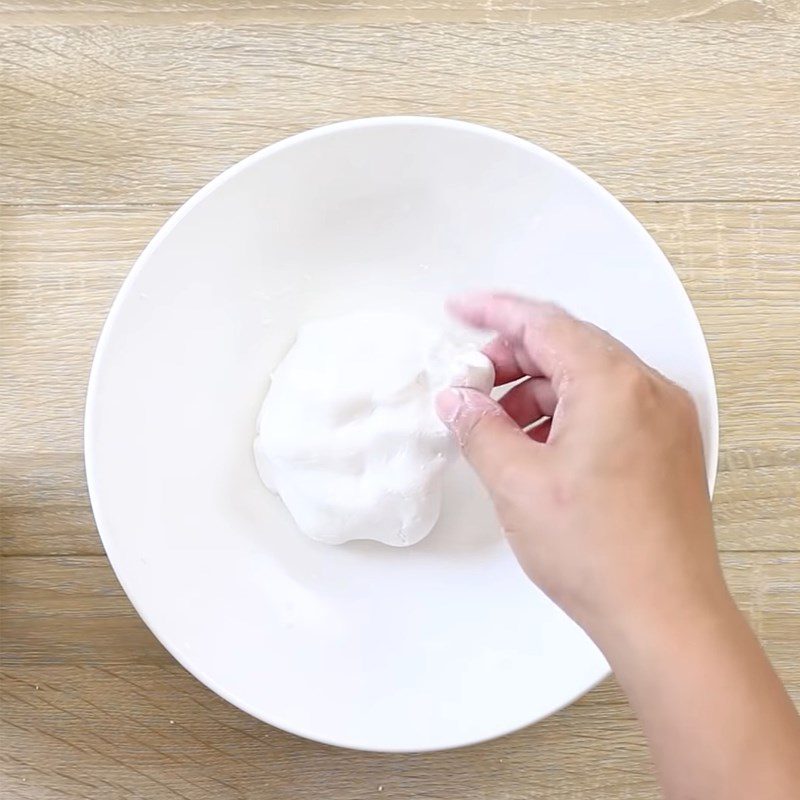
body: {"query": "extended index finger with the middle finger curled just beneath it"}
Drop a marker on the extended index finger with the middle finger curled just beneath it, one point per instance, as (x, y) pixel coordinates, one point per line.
(536, 338)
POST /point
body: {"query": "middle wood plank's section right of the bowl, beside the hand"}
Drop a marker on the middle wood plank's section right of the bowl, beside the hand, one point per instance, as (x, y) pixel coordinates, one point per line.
(743, 279)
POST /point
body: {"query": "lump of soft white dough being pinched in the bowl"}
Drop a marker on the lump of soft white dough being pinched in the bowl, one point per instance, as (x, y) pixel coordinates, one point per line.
(348, 435)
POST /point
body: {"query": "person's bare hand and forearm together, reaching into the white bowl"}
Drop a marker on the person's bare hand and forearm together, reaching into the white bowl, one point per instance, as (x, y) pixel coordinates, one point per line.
(605, 505)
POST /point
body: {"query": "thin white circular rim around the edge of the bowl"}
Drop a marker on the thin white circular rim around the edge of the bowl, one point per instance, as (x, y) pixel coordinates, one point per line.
(92, 394)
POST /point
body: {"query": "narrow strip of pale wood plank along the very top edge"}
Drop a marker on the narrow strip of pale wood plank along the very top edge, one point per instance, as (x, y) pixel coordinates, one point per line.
(159, 12)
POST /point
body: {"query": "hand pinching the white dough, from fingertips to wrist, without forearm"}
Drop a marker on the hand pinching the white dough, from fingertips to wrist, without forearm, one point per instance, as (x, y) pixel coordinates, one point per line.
(605, 504)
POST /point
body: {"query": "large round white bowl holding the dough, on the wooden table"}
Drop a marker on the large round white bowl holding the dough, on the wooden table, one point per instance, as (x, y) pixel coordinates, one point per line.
(435, 646)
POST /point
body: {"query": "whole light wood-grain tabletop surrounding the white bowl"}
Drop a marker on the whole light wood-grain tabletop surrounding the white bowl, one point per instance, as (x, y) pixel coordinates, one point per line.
(114, 112)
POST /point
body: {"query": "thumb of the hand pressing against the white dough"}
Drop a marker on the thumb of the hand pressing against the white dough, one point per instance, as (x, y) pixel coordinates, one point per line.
(489, 438)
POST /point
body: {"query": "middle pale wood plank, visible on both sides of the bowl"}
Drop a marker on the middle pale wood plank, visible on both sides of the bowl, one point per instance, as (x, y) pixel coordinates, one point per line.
(61, 270)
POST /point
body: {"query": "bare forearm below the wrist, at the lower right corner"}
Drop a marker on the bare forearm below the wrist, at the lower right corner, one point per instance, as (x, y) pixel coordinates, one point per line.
(718, 720)
